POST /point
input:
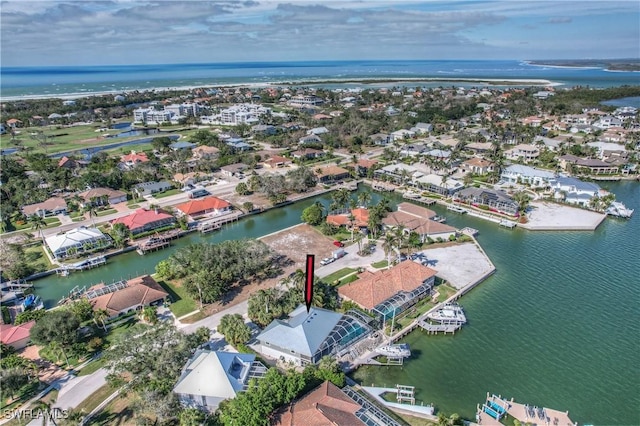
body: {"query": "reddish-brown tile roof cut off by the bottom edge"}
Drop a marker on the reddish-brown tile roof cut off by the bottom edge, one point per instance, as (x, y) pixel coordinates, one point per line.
(326, 405)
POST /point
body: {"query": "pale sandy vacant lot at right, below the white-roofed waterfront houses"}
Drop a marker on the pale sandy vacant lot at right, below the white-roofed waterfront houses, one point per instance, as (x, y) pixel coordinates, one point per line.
(546, 216)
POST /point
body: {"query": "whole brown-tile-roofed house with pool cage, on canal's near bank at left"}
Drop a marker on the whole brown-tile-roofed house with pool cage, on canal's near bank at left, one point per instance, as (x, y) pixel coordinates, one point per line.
(136, 294)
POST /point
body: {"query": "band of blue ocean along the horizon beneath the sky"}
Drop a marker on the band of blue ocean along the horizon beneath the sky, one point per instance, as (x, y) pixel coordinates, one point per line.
(80, 81)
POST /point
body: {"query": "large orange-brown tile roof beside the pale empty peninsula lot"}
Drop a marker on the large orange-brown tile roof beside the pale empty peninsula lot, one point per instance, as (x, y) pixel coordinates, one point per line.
(371, 289)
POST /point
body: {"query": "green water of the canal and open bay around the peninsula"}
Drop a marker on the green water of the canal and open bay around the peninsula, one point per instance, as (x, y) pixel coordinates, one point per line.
(556, 325)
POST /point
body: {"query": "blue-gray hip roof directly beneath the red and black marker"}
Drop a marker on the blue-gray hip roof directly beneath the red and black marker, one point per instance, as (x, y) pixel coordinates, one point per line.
(303, 332)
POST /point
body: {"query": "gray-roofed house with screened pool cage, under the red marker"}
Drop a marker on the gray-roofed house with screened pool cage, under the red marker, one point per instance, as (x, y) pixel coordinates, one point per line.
(306, 337)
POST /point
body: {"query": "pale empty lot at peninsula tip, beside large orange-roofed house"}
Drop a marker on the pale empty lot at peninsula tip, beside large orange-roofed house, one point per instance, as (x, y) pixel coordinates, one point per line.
(460, 264)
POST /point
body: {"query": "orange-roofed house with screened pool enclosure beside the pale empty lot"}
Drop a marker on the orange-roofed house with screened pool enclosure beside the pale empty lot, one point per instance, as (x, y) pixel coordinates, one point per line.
(392, 291)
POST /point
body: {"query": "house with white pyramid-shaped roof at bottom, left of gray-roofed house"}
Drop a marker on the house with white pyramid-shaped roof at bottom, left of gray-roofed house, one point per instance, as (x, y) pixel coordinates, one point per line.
(210, 377)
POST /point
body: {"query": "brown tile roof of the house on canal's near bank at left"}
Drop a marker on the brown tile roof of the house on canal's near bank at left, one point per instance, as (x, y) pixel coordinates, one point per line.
(140, 291)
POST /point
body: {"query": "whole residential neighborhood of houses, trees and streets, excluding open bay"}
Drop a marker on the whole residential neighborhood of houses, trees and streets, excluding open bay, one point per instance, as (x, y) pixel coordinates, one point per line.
(141, 184)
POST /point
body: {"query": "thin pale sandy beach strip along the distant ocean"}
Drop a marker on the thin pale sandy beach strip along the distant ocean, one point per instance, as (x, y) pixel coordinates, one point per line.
(305, 82)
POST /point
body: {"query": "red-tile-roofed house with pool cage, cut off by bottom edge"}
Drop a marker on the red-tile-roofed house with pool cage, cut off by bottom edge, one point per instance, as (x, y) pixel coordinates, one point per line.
(328, 405)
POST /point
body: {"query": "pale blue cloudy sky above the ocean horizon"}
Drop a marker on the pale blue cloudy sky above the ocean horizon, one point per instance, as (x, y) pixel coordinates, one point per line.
(43, 33)
